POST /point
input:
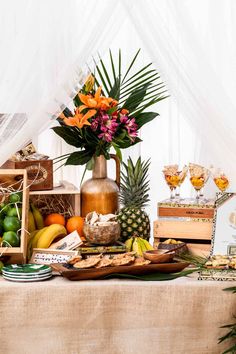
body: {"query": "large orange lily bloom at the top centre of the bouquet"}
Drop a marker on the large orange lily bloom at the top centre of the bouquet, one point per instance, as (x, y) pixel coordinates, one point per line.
(96, 102)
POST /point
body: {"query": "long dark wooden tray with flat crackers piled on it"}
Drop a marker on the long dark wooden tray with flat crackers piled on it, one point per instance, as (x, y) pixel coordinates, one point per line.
(99, 266)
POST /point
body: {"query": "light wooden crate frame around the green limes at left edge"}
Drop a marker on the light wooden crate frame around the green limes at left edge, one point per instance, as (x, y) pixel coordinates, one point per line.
(18, 180)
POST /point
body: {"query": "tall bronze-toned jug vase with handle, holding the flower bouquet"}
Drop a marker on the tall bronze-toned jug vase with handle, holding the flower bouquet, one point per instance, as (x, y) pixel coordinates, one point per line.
(100, 193)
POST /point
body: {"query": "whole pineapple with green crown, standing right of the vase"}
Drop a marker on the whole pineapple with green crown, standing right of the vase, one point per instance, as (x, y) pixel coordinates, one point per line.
(134, 197)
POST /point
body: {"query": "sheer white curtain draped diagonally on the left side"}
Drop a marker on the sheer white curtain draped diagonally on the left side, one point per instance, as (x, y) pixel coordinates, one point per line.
(45, 46)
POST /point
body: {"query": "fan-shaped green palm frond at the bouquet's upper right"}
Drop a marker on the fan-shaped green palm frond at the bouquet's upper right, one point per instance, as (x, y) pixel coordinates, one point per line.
(135, 92)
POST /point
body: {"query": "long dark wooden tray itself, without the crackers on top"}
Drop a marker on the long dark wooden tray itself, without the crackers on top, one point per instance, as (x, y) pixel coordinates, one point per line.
(94, 273)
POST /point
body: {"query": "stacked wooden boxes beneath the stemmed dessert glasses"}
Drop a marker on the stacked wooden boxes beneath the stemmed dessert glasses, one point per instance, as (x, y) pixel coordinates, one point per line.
(187, 222)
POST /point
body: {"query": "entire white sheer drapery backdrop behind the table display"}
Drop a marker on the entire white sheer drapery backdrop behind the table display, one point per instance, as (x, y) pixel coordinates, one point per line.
(191, 42)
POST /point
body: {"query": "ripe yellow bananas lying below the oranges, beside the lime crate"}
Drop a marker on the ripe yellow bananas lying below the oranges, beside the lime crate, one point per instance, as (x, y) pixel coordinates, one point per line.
(44, 237)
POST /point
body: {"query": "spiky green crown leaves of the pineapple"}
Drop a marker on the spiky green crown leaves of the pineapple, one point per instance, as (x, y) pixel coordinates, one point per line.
(134, 188)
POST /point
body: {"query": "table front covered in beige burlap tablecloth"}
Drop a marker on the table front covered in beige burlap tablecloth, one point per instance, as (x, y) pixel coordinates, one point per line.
(114, 316)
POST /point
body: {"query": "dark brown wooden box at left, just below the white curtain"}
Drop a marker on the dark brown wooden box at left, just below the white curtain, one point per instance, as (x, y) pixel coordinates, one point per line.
(40, 172)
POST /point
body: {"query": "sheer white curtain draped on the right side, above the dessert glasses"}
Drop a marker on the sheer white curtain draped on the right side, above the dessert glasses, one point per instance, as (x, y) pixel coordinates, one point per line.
(193, 43)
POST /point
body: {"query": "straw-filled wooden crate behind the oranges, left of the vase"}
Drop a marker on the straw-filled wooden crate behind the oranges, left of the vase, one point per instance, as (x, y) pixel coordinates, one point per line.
(64, 200)
